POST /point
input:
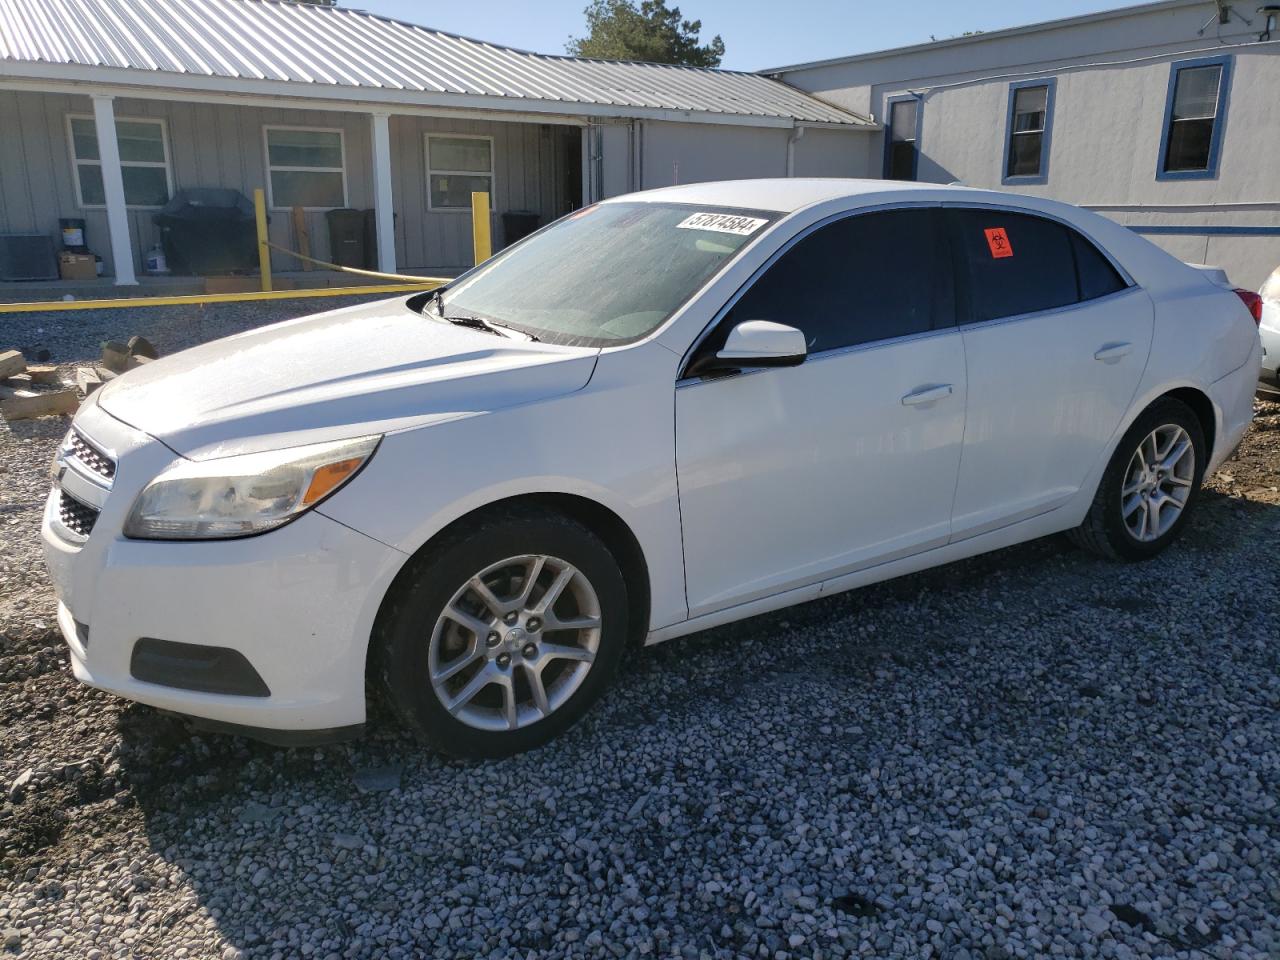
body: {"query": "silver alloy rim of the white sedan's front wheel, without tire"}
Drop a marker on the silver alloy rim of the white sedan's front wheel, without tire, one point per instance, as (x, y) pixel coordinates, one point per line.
(515, 642)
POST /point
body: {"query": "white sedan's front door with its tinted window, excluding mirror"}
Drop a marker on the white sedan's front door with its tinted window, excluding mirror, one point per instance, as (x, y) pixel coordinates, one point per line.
(794, 476)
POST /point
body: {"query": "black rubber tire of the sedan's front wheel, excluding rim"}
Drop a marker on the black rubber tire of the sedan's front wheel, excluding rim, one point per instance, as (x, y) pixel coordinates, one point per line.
(405, 627)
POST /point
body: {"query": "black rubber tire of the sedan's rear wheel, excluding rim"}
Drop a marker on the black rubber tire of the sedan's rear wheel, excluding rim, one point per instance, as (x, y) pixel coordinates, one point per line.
(1104, 531)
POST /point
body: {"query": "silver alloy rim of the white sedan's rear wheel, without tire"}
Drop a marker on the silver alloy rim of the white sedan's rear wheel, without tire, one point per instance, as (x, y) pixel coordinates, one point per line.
(1158, 483)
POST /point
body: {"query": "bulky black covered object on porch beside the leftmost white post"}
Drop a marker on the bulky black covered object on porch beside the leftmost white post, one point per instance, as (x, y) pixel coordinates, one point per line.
(209, 231)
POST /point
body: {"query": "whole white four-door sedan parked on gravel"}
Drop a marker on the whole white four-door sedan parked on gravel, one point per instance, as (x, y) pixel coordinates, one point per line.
(664, 413)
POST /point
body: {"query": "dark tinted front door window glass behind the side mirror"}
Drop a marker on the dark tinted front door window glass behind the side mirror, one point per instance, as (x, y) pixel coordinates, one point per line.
(865, 278)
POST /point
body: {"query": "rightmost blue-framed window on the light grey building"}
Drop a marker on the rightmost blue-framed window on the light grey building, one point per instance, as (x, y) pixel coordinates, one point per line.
(1195, 118)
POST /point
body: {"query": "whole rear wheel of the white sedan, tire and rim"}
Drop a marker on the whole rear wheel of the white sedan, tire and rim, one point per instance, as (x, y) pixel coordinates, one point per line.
(1150, 486)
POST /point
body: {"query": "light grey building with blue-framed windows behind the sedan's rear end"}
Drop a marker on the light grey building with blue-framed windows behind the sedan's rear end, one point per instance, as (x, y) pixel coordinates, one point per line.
(1164, 117)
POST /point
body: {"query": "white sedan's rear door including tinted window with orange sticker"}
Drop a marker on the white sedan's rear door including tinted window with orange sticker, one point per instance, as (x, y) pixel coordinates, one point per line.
(1057, 342)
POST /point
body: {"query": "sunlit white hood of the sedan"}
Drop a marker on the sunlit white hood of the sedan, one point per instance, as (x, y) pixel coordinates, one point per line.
(362, 371)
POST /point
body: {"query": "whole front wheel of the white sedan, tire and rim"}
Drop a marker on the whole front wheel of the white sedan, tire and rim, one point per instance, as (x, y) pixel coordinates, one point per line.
(505, 636)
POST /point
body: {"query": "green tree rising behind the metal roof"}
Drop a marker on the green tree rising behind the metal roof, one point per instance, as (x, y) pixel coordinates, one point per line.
(620, 30)
